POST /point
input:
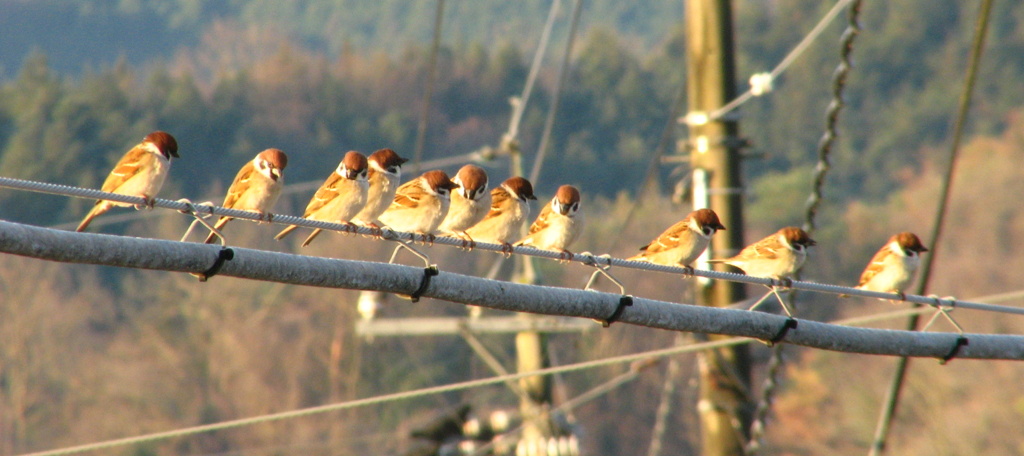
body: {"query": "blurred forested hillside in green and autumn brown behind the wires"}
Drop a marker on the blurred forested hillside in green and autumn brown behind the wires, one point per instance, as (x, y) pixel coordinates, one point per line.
(91, 354)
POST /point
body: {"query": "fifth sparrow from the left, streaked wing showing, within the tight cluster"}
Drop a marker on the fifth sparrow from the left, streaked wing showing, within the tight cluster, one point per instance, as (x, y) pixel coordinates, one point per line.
(420, 205)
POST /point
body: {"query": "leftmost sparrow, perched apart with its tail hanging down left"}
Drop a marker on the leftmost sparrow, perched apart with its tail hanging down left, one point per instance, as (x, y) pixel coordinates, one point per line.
(141, 173)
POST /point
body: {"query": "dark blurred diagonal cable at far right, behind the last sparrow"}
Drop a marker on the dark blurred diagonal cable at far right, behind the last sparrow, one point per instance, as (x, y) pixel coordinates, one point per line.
(897, 387)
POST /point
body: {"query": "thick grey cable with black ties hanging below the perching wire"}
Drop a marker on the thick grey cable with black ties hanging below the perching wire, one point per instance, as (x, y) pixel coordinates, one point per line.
(88, 248)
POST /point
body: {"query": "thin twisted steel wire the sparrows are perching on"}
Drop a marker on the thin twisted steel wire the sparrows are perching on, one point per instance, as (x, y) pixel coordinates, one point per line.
(585, 259)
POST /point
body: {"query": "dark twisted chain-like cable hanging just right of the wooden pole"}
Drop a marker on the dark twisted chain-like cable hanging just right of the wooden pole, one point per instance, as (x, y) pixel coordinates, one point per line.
(777, 361)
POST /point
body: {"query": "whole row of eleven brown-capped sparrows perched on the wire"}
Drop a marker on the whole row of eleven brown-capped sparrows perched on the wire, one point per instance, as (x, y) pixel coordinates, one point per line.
(365, 191)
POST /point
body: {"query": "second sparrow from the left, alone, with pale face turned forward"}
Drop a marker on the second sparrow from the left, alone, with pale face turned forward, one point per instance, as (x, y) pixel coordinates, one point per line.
(257, 187)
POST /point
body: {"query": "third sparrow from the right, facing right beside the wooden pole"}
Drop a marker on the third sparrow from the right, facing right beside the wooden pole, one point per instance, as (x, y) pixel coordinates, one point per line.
(684, 242)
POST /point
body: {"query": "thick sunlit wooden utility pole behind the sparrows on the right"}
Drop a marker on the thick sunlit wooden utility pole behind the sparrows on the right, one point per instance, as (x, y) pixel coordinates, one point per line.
(726, 406)
